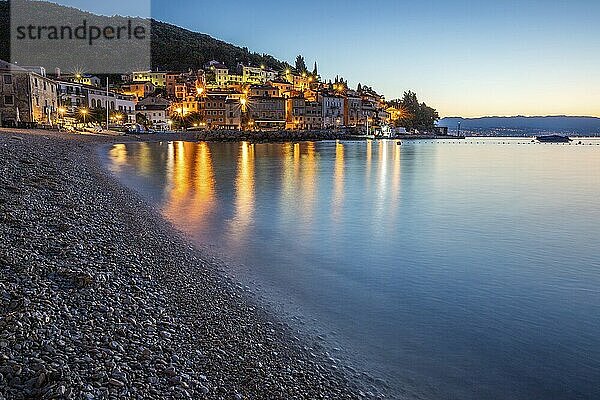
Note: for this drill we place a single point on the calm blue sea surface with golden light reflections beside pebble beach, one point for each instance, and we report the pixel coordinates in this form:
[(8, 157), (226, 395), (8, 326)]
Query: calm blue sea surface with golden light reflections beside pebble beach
[(455, 269)]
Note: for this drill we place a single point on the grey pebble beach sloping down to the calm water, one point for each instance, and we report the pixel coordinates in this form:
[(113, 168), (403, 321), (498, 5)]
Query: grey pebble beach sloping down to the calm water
[(101, 296)]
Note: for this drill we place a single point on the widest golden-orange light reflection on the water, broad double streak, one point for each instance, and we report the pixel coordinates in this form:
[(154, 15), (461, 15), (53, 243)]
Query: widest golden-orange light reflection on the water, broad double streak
[(191, 192)]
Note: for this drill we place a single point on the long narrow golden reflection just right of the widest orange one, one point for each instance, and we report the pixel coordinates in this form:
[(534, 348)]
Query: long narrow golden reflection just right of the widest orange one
[(244, 194)]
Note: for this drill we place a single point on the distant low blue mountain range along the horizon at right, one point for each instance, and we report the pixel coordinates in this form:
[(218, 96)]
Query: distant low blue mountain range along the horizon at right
[(524, 126)]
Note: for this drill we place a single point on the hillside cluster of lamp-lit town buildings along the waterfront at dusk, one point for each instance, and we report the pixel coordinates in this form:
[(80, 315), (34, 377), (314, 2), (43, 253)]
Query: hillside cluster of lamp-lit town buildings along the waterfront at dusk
[(216, 97)]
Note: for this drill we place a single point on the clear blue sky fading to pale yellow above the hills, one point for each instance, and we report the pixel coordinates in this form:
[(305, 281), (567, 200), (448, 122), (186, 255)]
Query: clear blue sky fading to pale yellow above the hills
[(465, 58)]
